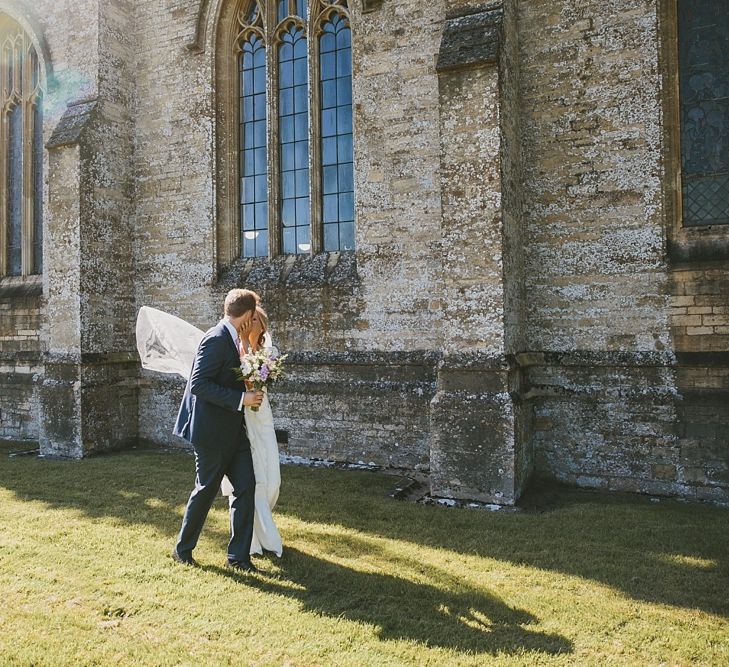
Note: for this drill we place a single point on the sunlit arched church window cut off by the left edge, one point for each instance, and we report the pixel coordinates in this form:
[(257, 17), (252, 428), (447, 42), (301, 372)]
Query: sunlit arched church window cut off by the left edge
[(21, 153)]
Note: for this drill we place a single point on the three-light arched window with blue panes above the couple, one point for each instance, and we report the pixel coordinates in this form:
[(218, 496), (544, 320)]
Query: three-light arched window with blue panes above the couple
[(296, 160)]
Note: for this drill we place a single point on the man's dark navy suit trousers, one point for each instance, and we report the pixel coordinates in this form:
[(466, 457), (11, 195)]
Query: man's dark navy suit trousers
[(211, 464)]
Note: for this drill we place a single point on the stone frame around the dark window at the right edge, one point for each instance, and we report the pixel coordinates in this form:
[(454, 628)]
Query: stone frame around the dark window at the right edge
[(685, 243)]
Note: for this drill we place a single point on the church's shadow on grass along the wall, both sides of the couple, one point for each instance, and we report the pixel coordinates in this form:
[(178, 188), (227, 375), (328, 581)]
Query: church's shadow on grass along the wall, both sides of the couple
[(670, 553)]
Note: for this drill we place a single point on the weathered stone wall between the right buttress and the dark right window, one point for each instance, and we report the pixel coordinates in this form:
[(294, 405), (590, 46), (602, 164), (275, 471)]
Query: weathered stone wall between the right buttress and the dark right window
[(596, 276)]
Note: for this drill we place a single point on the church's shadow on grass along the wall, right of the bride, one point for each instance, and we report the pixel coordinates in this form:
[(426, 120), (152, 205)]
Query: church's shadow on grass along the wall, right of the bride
[(666, 552)]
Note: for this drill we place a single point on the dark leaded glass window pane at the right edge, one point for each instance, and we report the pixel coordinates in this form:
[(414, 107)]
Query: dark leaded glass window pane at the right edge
[(703, 43)]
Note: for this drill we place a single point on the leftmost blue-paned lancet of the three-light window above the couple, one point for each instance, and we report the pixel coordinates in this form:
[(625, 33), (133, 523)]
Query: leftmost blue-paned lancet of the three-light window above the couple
[(254, 164)]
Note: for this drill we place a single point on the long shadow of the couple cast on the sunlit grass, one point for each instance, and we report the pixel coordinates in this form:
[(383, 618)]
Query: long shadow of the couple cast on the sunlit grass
[(463, 620)]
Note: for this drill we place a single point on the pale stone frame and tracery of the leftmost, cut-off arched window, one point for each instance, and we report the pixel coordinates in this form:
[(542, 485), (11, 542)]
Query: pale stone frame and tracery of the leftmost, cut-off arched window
[(30, 97)]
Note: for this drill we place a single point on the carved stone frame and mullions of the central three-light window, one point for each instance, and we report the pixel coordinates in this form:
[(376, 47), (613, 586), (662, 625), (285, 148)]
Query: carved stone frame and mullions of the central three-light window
[(230, 32)]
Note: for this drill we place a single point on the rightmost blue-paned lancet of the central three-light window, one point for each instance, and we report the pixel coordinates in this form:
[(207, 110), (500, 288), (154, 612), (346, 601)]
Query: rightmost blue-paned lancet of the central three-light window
[(337, 162)]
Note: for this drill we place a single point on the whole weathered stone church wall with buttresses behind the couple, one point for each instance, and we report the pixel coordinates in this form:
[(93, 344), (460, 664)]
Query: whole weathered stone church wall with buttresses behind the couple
[(513, 303)]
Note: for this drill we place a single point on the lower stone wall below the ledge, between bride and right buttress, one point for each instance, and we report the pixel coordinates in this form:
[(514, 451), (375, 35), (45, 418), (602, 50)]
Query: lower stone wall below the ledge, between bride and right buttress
[(360, 407)]
